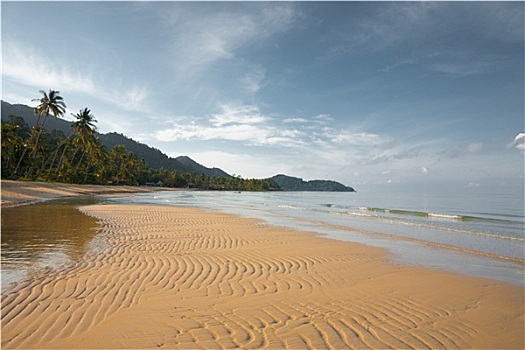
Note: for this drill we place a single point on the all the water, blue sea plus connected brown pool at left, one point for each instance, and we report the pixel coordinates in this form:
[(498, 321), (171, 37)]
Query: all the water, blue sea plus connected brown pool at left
[(472, 231)]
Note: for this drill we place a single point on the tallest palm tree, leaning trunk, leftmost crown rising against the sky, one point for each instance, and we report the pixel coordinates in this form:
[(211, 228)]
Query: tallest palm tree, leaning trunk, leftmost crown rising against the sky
[(51, 103)]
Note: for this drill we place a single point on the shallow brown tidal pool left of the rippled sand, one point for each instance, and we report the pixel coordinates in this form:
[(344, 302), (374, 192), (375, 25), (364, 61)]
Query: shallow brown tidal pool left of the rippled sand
[(44, 235)]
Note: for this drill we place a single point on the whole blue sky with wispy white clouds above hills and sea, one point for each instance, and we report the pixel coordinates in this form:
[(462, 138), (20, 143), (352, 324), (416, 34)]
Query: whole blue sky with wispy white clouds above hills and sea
[(365, 93)]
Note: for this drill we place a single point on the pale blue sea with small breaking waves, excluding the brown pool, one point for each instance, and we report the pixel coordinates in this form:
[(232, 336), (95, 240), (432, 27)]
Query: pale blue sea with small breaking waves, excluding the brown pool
[(471, 232)]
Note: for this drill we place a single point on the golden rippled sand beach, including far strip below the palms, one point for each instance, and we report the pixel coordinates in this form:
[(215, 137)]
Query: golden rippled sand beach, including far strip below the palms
[(175, 277)]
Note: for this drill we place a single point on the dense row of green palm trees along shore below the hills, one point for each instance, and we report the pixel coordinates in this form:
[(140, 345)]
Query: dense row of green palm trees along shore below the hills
[(32, 153)]
